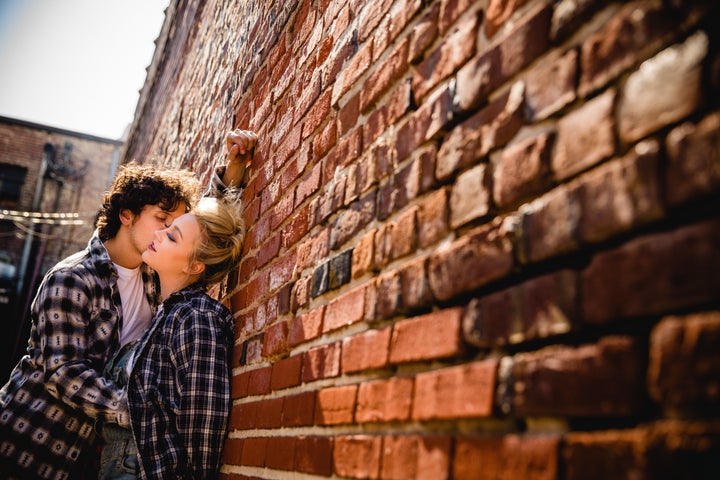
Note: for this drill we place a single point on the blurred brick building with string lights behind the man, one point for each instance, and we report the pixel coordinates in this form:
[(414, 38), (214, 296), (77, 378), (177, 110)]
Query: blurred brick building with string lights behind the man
[(51, 184)]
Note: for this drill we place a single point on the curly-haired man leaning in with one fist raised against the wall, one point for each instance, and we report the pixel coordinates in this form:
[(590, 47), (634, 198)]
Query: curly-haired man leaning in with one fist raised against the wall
[(87, 306)]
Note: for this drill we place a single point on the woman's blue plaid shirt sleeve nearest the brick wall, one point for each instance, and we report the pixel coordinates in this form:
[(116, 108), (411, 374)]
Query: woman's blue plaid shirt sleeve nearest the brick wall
[(201, 357)]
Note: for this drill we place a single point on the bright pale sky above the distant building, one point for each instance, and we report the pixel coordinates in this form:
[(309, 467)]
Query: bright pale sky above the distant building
[(76, 64)]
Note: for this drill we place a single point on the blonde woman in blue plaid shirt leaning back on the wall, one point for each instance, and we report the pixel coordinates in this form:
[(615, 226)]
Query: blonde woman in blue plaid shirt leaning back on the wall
[(177, 375)]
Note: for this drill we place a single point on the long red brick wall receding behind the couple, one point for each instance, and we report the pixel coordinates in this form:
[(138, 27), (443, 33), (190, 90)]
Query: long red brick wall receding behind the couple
[(483, 235)]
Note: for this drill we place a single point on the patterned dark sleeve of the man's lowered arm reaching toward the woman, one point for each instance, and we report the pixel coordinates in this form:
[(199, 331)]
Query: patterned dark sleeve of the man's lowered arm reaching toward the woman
[(64, 319)]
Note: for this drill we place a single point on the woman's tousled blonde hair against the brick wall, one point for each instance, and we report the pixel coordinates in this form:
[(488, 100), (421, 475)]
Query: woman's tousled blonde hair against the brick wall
[(222, 233)]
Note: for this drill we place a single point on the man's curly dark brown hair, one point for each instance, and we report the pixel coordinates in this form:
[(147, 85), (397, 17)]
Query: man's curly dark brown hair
[(136, 186)]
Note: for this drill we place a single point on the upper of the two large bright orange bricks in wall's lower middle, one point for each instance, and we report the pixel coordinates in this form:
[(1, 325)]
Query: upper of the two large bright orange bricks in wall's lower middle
[(428, 337)]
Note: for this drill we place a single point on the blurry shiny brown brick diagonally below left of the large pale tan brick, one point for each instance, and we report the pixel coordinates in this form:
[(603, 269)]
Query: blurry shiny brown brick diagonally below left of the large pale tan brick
[(621, 195)]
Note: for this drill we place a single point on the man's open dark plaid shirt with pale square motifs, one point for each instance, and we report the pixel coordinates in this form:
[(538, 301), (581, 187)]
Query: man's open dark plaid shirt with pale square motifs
[(55, 393)]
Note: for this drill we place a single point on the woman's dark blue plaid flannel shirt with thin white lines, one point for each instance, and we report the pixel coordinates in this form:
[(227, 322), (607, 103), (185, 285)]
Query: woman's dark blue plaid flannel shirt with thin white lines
[(179, 387)]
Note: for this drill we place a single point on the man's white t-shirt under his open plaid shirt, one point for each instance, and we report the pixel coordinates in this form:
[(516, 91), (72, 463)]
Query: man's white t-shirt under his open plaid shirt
[(136, 309)]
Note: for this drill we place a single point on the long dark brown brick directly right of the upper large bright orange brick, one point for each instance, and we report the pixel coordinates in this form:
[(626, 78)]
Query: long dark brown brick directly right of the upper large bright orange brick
[(538, 308)]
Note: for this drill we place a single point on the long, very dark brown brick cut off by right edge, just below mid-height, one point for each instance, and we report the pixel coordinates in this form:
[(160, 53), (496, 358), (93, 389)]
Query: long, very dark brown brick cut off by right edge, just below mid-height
[(663, 272)]
